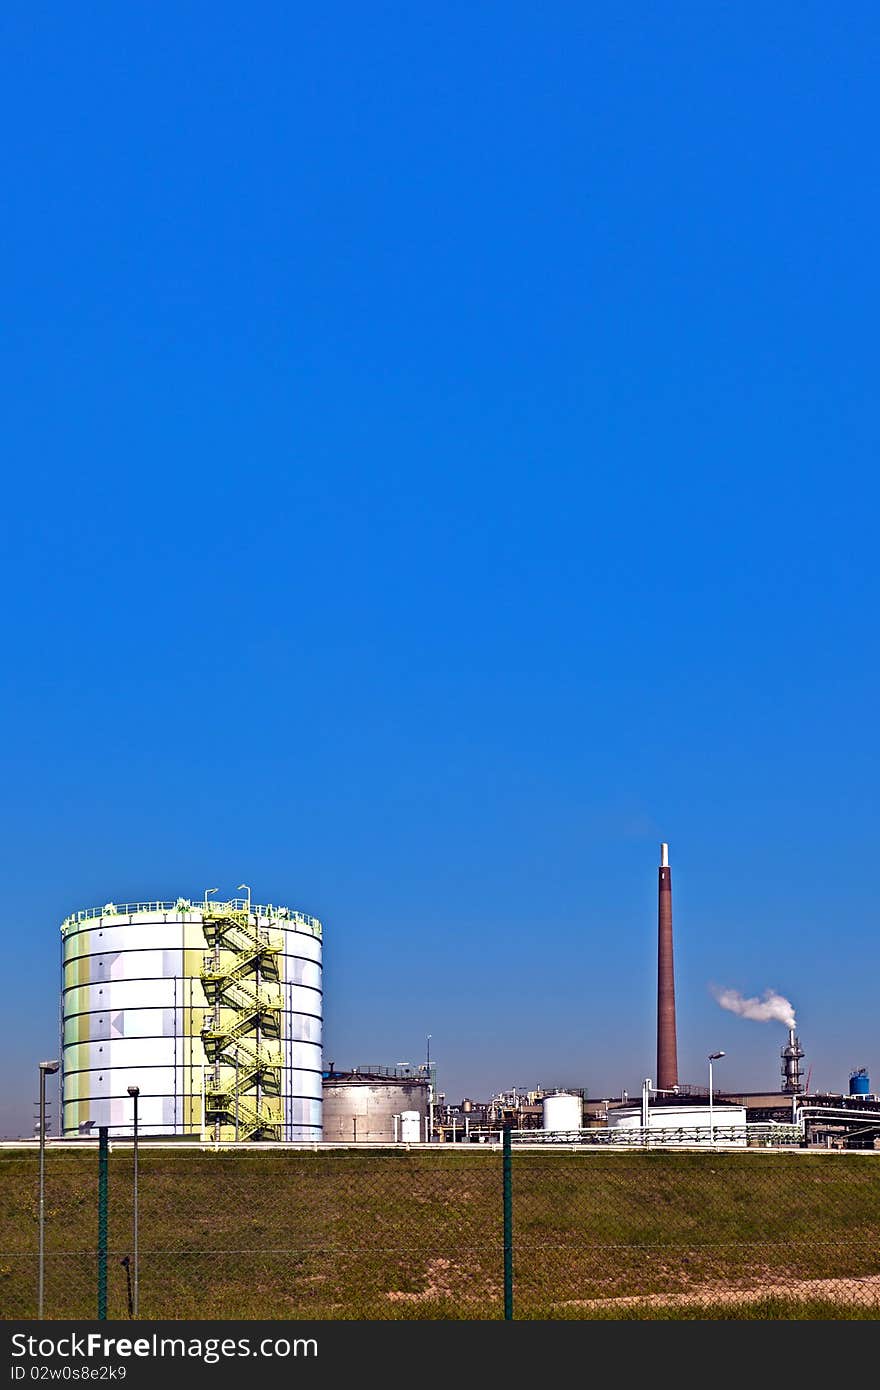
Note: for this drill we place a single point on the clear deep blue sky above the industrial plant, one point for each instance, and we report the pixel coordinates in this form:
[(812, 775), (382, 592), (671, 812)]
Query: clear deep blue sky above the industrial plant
[(440, 465)]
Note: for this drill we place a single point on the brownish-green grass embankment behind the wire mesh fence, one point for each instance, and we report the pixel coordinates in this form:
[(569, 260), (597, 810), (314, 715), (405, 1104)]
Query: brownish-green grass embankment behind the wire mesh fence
[(419, 1235)]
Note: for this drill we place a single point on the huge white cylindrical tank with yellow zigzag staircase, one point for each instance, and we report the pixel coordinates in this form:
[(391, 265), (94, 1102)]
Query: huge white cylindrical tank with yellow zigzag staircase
[(213, 1010)]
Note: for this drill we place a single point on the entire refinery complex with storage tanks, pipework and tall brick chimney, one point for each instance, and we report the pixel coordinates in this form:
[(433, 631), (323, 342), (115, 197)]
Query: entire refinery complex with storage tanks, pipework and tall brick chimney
[(212, 1014)]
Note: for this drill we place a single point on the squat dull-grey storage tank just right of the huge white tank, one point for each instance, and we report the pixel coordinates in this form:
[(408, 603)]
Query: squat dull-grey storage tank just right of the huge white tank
[(376, 1106)]
